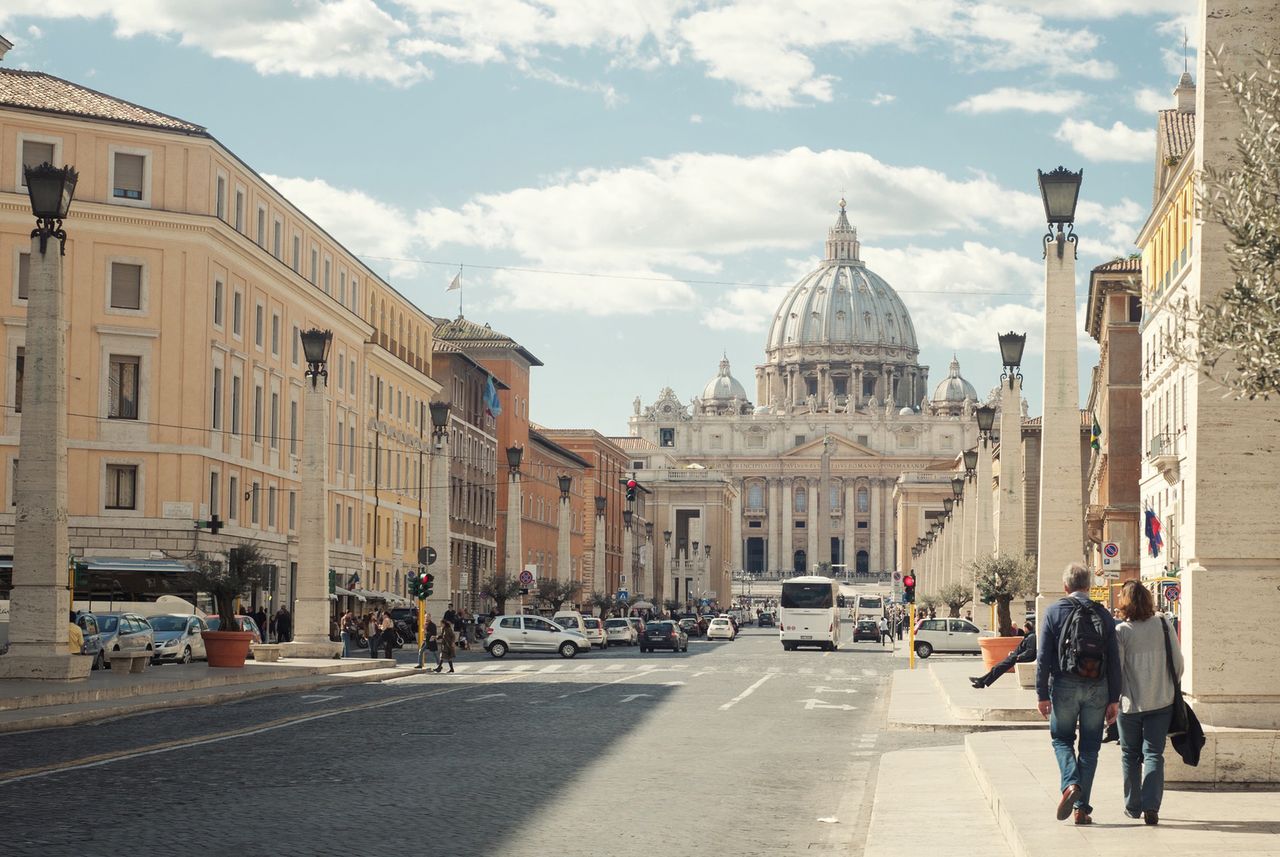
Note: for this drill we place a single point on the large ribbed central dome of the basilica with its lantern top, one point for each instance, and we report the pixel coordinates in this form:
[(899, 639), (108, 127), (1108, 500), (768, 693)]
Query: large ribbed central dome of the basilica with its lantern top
[(844, 306)]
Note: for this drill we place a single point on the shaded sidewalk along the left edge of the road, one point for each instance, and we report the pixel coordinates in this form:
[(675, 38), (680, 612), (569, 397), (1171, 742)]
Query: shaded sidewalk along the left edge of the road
[(38, 705)]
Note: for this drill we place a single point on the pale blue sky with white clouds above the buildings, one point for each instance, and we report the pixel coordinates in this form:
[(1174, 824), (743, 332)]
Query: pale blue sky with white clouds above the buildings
[(630, 186)]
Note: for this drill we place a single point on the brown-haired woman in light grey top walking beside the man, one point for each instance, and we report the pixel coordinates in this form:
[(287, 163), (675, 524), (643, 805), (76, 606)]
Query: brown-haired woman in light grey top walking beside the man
[(1148, 668)]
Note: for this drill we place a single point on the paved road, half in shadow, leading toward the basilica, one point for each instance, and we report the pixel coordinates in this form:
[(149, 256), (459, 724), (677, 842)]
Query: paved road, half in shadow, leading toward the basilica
[(732, 749)]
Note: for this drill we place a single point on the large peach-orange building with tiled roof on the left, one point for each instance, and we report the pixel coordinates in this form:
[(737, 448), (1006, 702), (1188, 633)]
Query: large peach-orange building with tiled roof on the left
[(190, 279)]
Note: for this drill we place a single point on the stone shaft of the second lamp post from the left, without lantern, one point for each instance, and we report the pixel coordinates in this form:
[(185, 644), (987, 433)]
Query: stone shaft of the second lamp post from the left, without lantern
[(312, 597)]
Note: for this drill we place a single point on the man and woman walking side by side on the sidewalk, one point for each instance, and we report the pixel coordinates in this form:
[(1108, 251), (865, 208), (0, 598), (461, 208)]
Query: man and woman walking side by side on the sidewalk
[(1094, 672)]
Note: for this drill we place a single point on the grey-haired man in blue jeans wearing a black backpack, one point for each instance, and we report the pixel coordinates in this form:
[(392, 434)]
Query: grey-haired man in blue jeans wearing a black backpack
[(1078, 686)]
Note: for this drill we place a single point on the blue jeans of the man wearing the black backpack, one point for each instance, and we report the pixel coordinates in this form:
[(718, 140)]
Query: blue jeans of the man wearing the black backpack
[(1077, 703)]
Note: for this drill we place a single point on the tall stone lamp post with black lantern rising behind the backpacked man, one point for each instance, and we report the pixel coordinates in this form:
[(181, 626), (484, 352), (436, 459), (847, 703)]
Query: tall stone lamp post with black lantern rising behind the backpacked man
[(1062, 519)]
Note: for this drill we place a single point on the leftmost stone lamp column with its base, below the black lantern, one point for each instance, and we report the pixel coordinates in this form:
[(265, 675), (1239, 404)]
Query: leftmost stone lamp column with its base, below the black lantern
[(40, 602)]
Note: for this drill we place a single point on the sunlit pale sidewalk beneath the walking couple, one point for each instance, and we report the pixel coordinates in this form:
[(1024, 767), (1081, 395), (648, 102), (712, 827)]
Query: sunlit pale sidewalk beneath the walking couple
[(1018, 776)]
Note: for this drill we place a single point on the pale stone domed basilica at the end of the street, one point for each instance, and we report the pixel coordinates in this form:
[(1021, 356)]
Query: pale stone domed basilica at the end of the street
[(843, 410)]
